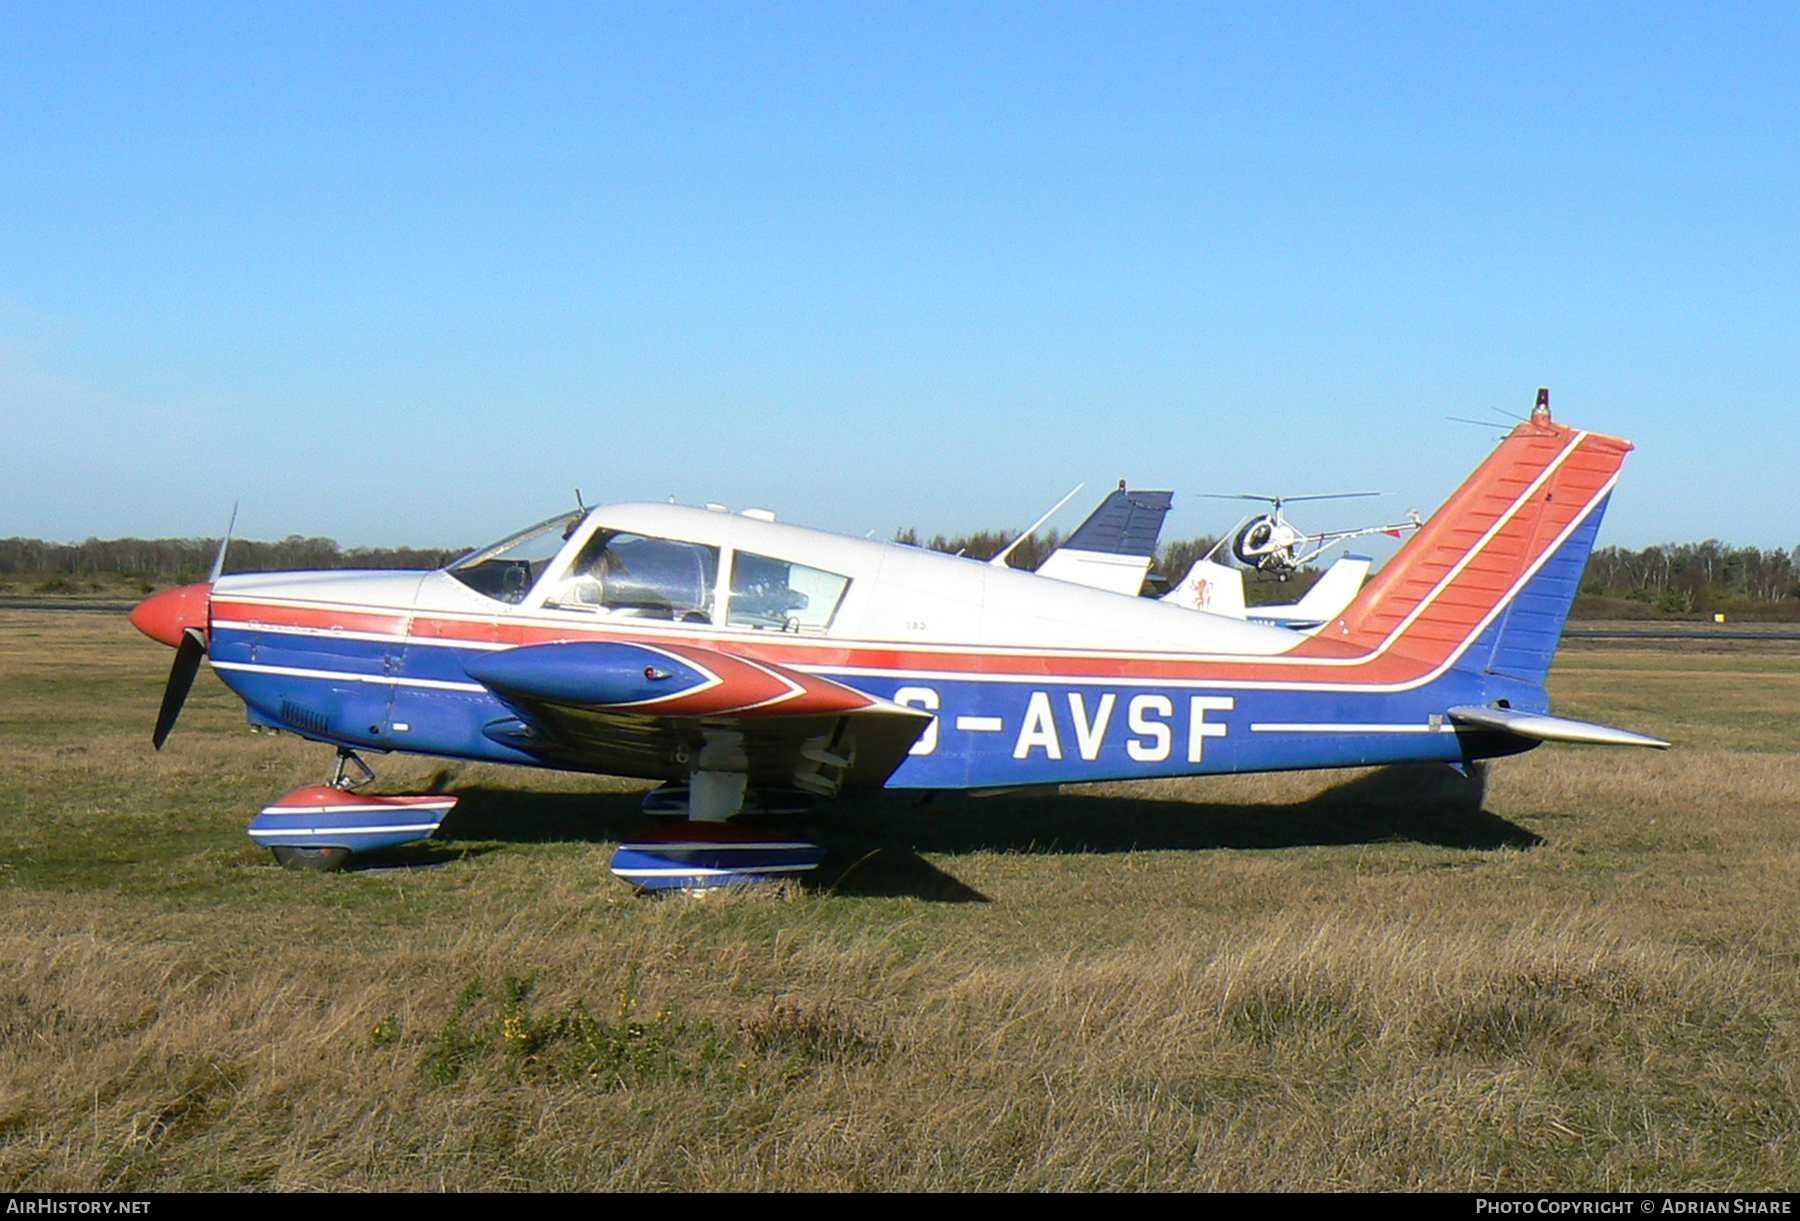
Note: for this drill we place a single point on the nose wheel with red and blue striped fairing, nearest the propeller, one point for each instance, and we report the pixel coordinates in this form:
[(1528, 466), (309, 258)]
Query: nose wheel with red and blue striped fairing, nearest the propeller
[(323, 826)]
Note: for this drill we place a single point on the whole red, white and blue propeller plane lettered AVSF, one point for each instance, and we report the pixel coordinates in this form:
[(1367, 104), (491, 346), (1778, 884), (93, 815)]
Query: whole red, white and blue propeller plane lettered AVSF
[(755, 665)]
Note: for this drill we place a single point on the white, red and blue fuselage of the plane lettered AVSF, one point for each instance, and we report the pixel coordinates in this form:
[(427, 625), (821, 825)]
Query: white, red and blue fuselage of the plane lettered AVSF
[(1029, 680)]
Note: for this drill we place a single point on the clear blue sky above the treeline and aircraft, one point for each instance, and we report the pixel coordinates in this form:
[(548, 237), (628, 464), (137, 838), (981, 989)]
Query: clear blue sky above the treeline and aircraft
[(413, 273)]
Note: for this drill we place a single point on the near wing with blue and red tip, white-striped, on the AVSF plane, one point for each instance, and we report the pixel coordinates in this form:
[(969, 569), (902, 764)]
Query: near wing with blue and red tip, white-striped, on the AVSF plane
[(602, 705)]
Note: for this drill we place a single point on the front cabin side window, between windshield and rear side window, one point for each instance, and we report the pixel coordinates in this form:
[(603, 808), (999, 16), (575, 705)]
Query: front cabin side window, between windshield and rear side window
[(631, 575)]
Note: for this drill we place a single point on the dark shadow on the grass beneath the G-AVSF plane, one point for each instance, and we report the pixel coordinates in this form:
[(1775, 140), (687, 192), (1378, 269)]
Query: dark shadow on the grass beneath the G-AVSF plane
[(874, 842)]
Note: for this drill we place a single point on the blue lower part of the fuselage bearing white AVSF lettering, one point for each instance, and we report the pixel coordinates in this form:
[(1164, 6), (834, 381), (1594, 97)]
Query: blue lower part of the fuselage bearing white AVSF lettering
[(989, 732)]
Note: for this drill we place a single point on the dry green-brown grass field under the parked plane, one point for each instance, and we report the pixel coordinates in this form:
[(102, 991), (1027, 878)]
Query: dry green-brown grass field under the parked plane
[(1345, 981)]
